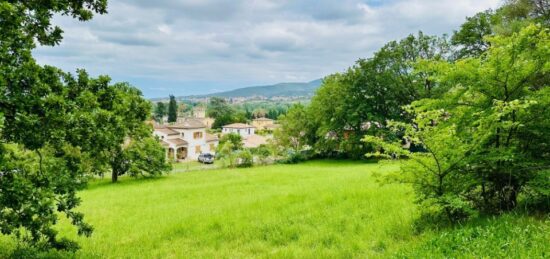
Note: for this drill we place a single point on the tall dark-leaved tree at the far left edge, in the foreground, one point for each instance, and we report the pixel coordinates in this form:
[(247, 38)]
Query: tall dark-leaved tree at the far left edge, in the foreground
[(42, 164)]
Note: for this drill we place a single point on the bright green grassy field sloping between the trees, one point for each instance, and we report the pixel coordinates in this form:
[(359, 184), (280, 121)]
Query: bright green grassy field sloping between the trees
[(320, 209)]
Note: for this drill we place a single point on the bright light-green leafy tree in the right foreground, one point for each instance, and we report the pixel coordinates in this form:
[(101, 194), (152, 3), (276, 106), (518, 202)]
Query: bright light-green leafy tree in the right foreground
[(484, 142)]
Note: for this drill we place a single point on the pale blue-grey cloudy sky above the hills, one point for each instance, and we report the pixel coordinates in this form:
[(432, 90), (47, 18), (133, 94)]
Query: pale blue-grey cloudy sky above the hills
[(185, 47)]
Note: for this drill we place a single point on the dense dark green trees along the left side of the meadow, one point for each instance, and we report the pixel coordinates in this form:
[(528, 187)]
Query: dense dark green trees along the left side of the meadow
[(58, 129)]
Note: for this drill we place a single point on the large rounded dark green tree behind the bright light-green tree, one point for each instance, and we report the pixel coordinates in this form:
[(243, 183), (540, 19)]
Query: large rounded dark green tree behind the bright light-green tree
[(359, 101)]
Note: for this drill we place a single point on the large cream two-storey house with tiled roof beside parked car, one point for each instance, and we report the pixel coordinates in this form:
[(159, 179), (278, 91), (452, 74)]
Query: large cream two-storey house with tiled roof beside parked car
[(185, 140)]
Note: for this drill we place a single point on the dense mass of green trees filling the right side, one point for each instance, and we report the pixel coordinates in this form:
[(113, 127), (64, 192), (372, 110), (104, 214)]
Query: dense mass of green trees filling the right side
[(469, 116)]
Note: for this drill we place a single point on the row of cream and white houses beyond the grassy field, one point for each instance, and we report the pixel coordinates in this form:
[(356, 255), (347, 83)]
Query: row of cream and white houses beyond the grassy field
[(188, 138)]
